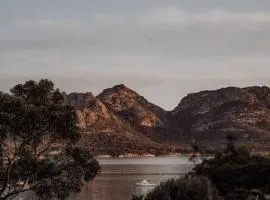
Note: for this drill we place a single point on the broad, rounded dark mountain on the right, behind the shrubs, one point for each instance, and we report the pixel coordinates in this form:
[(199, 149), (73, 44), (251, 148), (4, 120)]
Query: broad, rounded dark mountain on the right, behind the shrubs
[(209, 116)]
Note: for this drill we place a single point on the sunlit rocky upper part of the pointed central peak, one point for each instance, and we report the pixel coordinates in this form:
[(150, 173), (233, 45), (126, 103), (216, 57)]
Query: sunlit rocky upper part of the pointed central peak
[(132, 107)]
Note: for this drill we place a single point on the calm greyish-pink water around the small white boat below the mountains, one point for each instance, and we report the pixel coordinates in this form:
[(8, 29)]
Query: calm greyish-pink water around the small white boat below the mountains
[(120, 175)]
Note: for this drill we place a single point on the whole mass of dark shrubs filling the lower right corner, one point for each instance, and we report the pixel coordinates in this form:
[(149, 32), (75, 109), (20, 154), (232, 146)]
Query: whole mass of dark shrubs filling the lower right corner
[(233, 174)]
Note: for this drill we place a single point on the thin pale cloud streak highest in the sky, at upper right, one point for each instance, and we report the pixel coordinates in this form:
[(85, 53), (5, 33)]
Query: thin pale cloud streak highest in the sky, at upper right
[(174, 15)]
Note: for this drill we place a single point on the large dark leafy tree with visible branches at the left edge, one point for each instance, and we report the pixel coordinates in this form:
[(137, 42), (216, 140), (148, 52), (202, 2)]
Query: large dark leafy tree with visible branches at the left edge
[(38, 151)]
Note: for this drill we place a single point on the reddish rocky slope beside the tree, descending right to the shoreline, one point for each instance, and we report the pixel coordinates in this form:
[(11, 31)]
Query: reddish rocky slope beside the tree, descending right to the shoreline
[(105, 131)]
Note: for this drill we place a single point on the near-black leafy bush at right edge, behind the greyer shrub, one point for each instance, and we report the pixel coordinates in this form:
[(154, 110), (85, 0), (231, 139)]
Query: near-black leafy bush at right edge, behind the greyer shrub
[(235, 172)]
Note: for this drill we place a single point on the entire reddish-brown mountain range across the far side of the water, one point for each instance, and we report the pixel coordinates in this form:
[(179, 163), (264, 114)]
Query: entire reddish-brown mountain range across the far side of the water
[(119, 120)]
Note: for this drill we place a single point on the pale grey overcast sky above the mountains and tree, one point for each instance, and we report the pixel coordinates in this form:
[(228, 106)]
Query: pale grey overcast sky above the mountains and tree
[(162, 49)]
